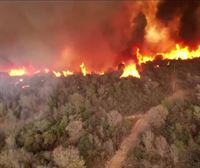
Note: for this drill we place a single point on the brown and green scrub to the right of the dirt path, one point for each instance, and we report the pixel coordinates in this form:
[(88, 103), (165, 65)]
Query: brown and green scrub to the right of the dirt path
[(176, 143)]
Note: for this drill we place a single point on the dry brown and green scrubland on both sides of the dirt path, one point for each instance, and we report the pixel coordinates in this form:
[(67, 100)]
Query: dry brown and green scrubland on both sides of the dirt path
[(81, 121)]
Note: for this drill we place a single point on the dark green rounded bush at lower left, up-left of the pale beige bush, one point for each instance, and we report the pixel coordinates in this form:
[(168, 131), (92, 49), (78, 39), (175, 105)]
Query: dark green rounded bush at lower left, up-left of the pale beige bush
[(39, 136)]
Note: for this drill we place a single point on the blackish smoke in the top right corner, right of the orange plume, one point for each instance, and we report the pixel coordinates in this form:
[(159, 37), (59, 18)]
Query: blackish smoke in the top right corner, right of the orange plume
[(189, 19)]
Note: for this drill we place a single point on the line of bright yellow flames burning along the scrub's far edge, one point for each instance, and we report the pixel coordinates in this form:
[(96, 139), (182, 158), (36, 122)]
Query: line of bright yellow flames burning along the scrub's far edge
[(130, 69)]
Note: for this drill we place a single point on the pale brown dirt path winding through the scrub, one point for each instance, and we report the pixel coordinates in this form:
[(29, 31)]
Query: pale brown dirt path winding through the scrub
[(143, 122)]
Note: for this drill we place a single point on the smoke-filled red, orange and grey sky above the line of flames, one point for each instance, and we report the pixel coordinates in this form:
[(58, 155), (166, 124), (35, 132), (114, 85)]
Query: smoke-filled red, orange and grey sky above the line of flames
[(63, 34)]
